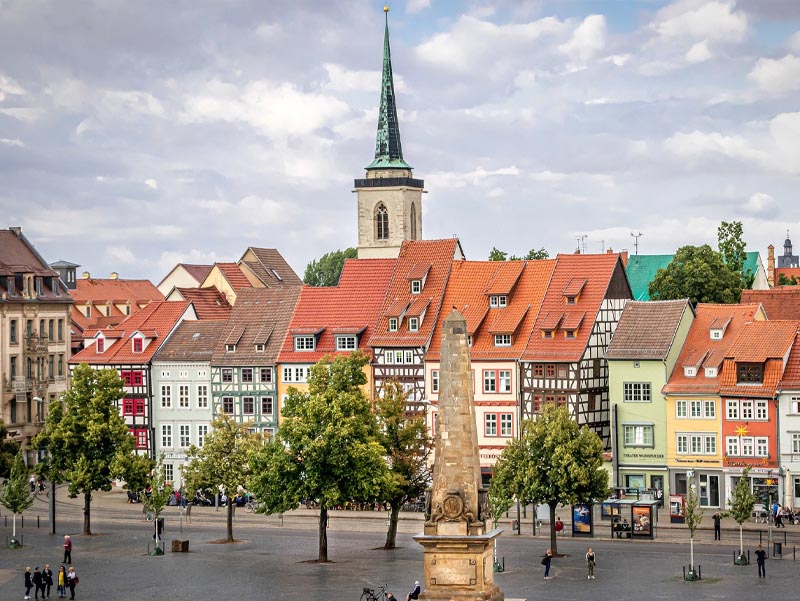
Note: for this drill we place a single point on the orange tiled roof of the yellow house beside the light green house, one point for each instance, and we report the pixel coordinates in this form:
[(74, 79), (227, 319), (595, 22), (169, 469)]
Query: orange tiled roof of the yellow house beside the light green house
[(699, 346)]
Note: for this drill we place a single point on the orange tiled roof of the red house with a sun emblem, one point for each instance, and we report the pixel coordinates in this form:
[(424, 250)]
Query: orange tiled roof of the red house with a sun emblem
[(765, 342)]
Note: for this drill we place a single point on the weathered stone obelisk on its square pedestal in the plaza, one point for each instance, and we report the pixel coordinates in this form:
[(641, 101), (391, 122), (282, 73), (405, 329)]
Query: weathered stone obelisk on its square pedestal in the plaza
[(458, 549)]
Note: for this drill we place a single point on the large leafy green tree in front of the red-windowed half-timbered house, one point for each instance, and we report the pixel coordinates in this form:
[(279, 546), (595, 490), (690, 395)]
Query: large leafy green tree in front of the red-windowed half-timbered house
[(85, 437)]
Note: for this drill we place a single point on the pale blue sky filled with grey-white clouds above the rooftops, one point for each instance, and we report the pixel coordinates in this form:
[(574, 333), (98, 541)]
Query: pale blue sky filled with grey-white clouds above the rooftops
[(136, 135)]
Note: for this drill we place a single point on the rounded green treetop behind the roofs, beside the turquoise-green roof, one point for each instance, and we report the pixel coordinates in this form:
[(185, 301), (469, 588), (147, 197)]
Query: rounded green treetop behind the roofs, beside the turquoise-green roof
[(700, 274)]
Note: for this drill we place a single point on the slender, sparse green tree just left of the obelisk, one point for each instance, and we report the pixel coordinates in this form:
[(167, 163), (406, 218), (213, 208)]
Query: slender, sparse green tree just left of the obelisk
[(407, 445)]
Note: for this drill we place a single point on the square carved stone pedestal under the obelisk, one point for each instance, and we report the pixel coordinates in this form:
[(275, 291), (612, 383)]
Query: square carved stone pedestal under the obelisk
[(459, 568)]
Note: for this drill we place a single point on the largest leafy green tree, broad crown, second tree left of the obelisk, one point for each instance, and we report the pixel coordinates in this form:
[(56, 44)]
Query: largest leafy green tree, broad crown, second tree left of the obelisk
[(327, 448)]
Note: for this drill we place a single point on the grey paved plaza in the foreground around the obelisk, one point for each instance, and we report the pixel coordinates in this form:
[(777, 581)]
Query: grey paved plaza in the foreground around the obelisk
[(275, 562)]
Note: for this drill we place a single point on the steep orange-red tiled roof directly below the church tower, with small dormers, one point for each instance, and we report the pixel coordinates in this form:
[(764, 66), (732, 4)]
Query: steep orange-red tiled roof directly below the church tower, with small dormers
[(439, 254)]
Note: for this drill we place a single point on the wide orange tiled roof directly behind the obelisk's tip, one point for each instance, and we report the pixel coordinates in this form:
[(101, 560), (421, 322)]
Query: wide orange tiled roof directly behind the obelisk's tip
[(466, 292)]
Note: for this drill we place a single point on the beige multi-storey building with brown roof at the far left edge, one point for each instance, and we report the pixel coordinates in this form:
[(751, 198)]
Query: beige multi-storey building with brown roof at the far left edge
[(35, 310)]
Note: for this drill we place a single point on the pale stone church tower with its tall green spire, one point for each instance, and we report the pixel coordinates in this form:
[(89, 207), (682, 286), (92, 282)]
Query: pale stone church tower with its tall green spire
[(389, 199)]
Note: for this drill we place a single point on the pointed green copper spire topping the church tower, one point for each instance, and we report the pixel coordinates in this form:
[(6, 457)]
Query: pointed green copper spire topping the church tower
[(388, 151)]
